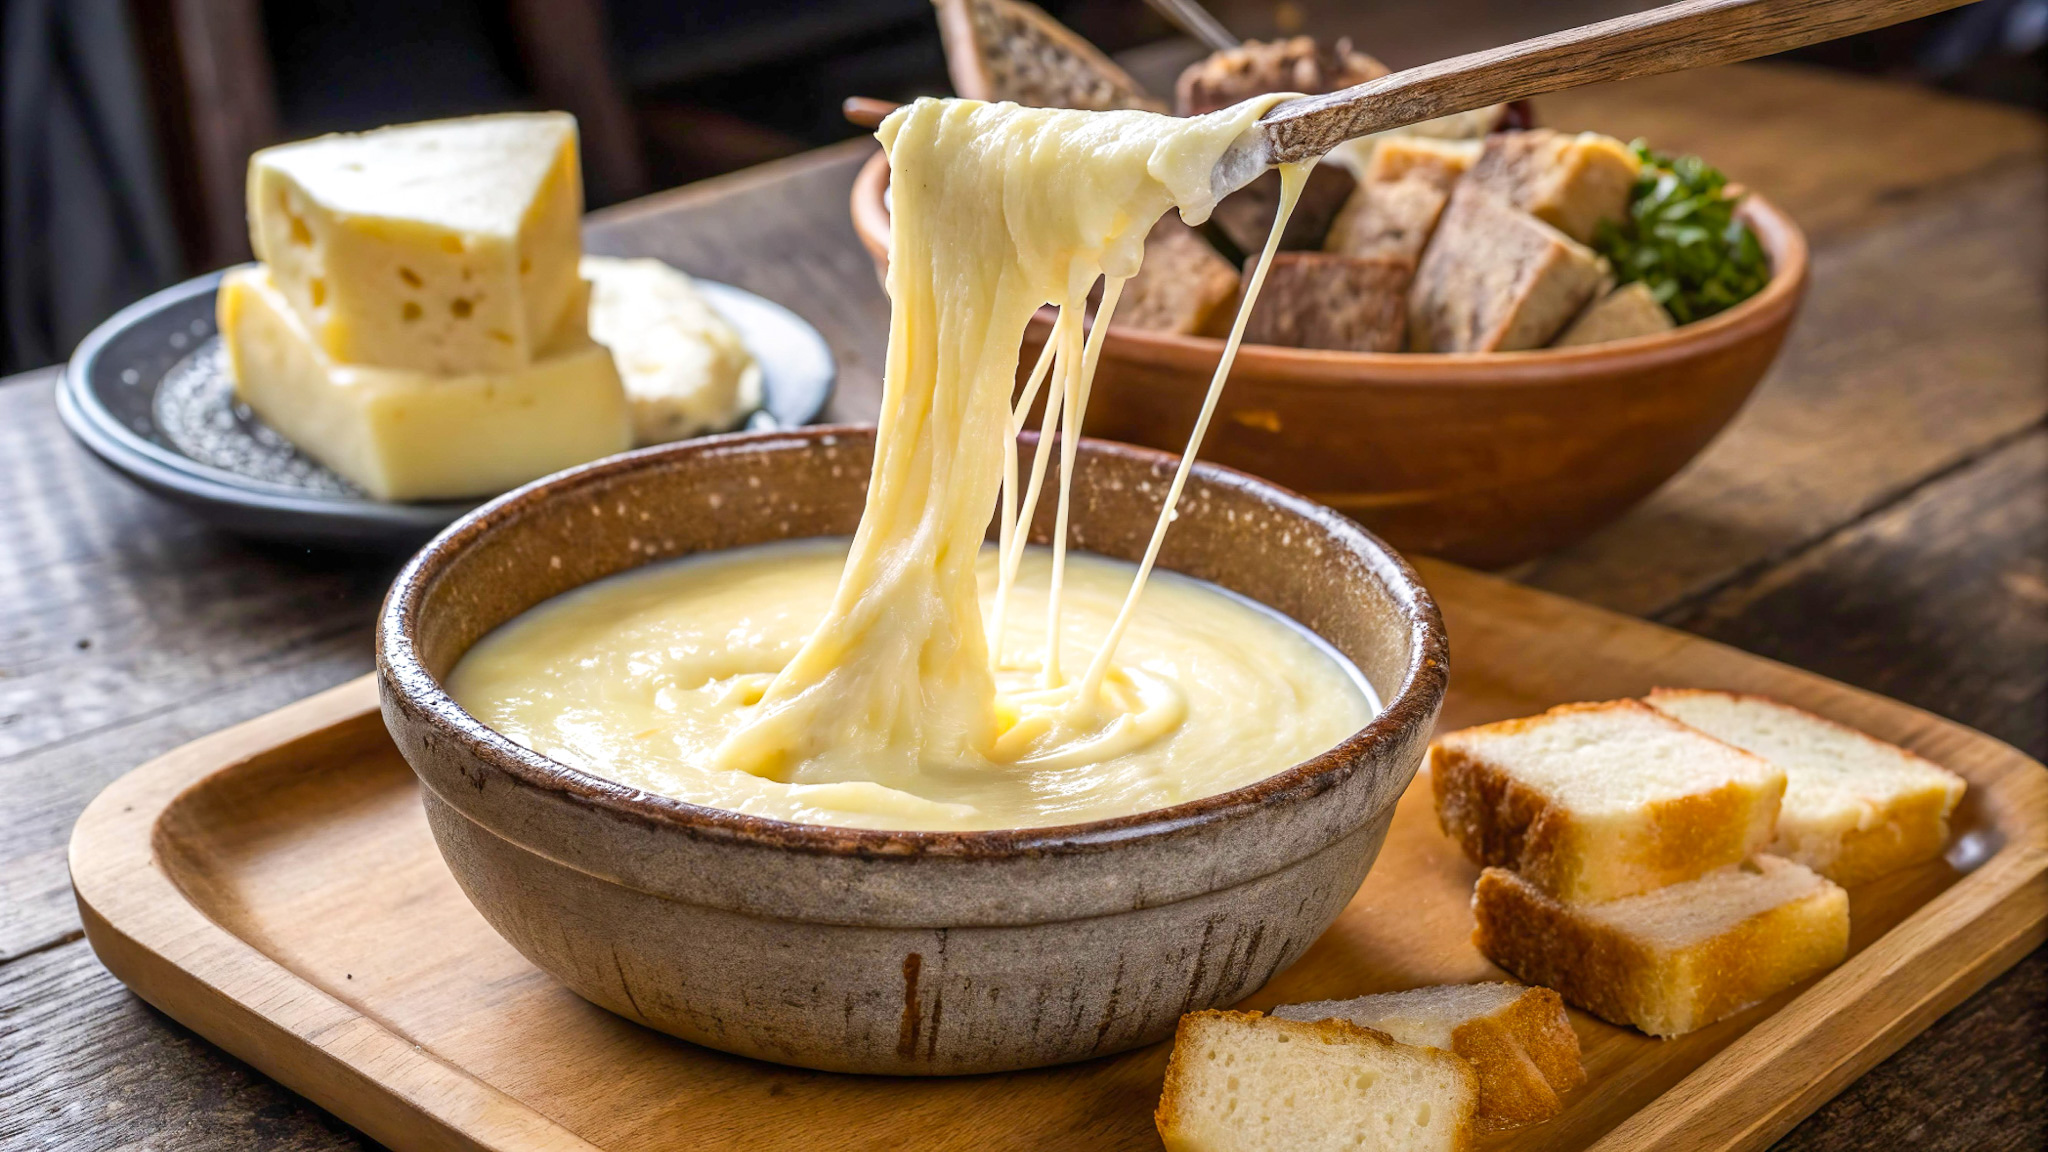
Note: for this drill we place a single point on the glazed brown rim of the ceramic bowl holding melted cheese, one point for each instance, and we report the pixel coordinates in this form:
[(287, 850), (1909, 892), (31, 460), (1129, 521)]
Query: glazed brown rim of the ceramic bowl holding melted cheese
[(409, 684)]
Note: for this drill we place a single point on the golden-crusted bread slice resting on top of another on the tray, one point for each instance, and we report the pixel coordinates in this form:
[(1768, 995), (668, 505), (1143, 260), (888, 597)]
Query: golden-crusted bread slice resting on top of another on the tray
[(1603, 800)]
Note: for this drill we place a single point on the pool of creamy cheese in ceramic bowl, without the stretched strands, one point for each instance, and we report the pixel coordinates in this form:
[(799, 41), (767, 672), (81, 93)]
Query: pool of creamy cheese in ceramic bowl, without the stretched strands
[(644, 675)]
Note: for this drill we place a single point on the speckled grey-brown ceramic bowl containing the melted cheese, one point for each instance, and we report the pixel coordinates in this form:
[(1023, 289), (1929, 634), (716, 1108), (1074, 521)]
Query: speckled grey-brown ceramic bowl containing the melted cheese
[(900, 952)]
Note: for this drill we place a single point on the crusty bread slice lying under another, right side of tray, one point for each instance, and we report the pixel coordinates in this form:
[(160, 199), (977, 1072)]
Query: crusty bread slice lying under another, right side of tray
[(1672, 960)]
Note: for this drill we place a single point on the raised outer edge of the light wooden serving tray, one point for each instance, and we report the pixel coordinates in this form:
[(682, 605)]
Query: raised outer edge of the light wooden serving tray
[(1744, 1098)]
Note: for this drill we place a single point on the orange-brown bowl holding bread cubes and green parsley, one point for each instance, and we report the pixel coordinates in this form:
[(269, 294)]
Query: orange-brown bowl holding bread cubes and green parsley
[(1484, 458)]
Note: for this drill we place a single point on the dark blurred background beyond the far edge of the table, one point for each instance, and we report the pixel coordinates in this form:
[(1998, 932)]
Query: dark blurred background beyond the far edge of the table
[(126, 124)]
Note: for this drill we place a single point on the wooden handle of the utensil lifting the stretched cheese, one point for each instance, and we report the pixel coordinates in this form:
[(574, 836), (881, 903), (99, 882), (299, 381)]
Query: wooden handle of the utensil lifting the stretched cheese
[(1693, 34)]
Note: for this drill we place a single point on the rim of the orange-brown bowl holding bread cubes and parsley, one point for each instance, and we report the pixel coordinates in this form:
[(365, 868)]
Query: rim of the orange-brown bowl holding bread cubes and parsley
[(1783, 243)]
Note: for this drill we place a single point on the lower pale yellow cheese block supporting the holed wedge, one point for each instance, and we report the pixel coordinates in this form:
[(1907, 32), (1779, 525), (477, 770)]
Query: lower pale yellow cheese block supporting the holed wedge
[(409, 436)]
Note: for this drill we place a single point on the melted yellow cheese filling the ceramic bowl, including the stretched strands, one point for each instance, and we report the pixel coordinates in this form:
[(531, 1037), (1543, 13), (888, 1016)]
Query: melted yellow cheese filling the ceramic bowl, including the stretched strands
[(900, 702)]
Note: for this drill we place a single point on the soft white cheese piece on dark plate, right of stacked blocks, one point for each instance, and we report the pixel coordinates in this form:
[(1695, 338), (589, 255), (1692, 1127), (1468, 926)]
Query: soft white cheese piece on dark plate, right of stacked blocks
[(685, 368)]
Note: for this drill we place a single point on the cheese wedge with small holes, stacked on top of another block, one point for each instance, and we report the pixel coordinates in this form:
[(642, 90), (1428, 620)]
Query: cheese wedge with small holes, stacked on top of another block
[(443, 247)]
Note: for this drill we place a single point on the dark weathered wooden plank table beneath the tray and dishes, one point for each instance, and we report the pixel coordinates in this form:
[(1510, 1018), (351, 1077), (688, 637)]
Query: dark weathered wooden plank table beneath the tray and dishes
[(1879, 513)]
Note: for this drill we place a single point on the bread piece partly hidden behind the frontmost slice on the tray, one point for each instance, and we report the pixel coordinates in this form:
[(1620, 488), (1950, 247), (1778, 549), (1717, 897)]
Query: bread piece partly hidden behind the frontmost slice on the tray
[(1519, 1040)]
